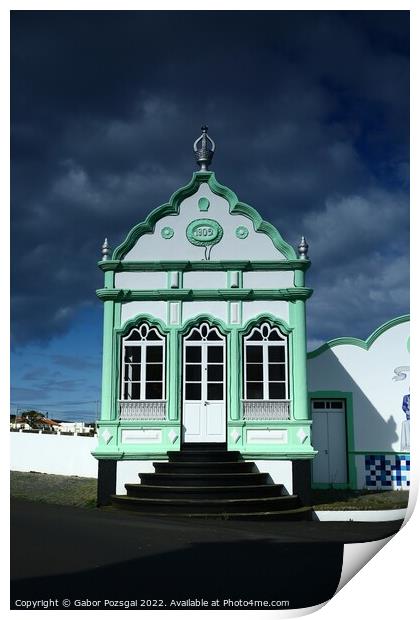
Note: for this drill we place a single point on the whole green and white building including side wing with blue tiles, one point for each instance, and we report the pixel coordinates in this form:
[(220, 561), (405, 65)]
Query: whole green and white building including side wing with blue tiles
[(205, 342)]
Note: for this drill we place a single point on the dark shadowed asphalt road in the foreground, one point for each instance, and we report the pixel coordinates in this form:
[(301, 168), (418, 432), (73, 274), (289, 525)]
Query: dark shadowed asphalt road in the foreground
[(61, 552)]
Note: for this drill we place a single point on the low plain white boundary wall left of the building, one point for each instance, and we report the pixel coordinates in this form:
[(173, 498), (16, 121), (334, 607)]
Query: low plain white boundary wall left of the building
[(65, 455)]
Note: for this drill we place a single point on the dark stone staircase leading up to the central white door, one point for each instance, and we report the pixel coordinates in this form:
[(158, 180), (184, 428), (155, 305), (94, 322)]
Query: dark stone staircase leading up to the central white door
[(205, 480)]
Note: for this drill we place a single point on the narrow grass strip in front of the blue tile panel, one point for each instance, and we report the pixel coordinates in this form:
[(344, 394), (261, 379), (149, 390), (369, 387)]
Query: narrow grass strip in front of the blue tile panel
[(343, 499)]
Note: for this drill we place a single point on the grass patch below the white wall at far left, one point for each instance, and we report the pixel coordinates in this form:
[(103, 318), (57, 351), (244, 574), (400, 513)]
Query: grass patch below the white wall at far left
[(52, 489)]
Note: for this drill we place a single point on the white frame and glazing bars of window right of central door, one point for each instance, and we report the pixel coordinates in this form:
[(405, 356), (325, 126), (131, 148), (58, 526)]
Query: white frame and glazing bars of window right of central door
[(265, 343)]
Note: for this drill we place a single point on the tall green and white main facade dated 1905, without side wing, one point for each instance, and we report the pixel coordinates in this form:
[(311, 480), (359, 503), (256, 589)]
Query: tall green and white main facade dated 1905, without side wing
[(204, 337)]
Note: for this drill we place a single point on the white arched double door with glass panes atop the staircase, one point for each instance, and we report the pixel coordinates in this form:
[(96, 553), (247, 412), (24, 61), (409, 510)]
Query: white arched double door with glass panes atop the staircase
[(204, 393)]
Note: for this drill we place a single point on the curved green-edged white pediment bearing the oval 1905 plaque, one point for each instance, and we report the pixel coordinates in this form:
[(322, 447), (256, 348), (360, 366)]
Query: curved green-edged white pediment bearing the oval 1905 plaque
[(204, 220)]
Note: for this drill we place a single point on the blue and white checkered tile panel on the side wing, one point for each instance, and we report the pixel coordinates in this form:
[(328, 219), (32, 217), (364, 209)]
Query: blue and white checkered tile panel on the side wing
[(387, 471)]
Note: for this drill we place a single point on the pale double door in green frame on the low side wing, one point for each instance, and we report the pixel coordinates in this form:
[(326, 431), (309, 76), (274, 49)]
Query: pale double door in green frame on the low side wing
[(329, 439)]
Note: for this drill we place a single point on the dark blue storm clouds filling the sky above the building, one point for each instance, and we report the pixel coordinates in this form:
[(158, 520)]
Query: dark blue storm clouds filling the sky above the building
[(309, 112)]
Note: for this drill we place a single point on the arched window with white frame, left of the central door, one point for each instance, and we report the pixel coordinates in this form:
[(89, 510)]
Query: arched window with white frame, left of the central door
[(143, 364)]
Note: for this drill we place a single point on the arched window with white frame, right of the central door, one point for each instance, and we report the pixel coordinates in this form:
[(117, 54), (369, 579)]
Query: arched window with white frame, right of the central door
[(265, 364)]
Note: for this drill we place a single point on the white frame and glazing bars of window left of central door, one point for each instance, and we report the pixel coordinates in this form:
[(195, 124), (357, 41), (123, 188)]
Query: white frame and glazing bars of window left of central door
[(143, 329)]
